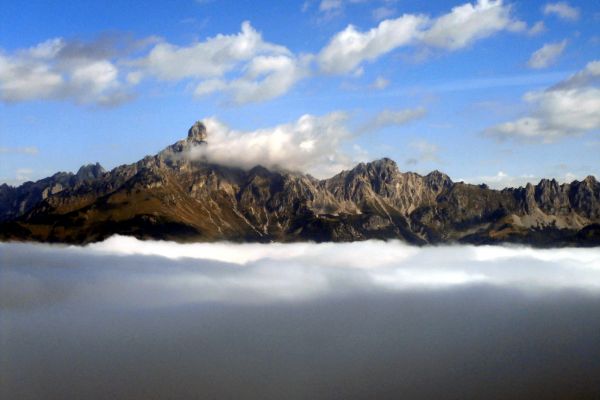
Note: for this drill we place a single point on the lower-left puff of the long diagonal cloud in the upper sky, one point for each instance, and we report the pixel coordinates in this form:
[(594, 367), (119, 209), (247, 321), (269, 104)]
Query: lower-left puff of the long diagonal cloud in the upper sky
[(350, 47)]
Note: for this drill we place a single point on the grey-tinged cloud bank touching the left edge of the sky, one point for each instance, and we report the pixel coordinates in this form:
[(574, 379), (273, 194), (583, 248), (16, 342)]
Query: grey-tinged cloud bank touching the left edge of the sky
[(61, 70)]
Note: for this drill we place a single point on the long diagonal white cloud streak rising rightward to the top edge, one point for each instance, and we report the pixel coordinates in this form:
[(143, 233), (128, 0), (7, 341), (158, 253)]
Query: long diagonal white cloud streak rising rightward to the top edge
[(459, 28)]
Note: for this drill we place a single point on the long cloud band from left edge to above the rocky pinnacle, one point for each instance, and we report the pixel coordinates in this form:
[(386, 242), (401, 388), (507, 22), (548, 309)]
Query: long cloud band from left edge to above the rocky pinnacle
[(244, 66)]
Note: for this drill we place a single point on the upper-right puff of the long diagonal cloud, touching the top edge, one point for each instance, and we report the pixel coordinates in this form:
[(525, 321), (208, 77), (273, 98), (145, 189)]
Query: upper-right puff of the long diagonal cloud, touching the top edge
[(470, 22)]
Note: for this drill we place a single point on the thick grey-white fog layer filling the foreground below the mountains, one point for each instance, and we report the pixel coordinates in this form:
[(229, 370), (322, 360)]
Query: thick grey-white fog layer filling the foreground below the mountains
[(126, 319)]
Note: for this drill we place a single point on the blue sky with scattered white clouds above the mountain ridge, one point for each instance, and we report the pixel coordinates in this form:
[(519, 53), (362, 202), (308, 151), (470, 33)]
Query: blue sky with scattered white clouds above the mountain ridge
[(501, 92)]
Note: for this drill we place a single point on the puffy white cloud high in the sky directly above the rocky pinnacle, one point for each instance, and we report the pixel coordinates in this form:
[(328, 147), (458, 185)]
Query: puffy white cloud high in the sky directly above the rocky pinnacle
[(256, 69)]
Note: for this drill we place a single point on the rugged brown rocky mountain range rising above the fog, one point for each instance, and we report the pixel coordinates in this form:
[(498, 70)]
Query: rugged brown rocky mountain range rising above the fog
[(178, 195)]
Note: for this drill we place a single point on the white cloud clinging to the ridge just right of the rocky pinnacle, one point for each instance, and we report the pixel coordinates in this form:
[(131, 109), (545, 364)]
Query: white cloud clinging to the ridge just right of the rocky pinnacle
[(312, 144)]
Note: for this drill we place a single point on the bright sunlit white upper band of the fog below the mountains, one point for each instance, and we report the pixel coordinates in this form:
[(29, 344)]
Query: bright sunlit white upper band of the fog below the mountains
[(273, 272)]
